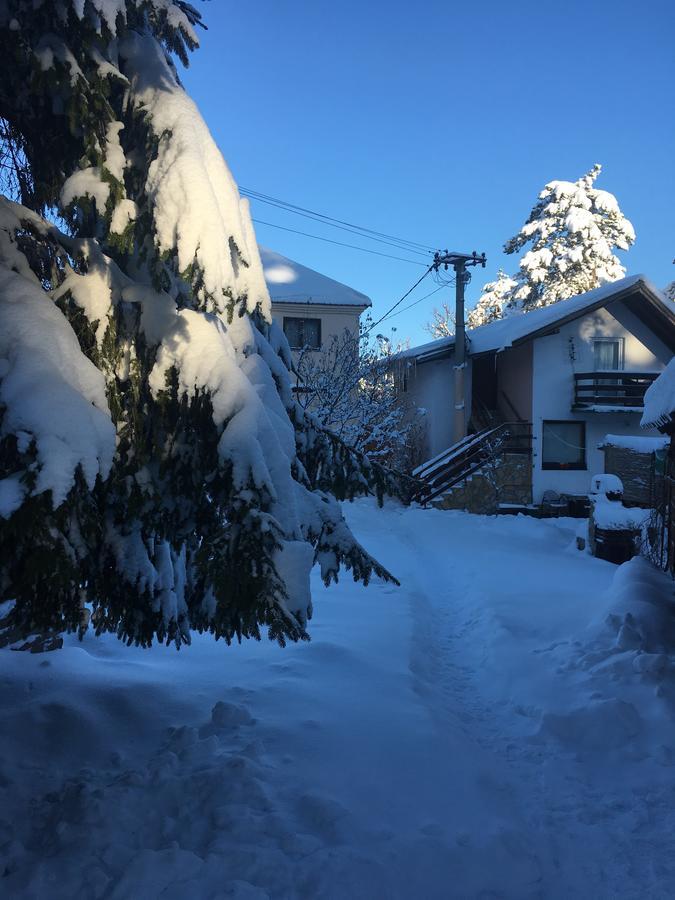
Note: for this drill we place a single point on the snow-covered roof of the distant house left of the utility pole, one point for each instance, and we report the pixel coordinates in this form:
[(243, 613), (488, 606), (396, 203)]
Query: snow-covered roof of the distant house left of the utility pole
[(291, 282)]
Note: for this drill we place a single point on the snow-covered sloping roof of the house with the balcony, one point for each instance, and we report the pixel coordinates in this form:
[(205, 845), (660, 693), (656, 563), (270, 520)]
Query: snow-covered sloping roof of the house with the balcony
[(636, 291)]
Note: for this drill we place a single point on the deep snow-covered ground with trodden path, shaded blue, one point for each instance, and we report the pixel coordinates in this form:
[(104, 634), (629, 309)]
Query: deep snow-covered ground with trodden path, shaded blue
[(500, 726)]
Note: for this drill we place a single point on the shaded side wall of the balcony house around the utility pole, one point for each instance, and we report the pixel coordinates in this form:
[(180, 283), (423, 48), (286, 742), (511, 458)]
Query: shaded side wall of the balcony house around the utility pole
[(431, 388)]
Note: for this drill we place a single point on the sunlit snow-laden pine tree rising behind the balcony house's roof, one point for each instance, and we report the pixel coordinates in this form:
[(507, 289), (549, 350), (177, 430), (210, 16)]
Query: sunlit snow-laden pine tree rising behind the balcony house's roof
[(573, 230)]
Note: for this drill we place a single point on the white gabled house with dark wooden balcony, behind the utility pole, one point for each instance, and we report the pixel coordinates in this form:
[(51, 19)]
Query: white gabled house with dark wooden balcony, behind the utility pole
[(570, 373)]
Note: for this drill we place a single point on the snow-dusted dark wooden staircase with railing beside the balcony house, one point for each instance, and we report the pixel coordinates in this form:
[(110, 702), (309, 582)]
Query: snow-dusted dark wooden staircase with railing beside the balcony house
[(482, 452)]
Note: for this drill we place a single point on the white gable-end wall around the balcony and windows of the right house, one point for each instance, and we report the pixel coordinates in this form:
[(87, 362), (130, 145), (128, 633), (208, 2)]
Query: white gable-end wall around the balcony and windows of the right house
[(553, 390)]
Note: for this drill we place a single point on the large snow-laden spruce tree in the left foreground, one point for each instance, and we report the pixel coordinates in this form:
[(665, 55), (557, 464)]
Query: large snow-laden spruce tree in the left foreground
[(155, 470)]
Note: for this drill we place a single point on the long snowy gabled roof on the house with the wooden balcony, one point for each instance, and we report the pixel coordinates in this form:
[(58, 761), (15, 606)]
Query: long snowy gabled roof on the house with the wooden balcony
[(520, 326)]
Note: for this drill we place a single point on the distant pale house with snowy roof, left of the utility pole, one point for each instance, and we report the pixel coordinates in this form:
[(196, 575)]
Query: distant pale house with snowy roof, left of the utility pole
[(310, 307)]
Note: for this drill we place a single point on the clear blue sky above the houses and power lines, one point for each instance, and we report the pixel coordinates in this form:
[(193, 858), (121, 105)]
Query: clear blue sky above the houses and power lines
[(440, 122)]
